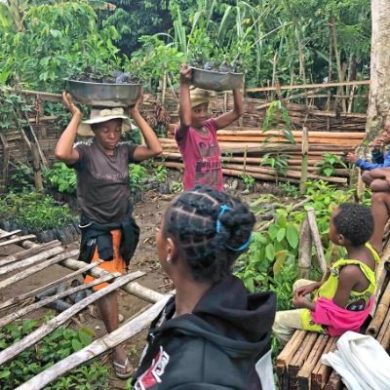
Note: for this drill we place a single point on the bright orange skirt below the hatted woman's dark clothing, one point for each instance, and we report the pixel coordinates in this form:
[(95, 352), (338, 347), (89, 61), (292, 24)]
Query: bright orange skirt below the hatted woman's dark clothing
[(117, 264)]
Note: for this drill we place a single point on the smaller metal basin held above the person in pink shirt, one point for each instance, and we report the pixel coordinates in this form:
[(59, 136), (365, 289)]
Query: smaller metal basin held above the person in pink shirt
[(216, 81)]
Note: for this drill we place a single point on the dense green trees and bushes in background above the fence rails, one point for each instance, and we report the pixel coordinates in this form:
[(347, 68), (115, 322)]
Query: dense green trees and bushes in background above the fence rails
[(285, 41)]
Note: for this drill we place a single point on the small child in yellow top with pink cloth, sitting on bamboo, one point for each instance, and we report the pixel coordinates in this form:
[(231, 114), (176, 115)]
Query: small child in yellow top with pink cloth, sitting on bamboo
[(344, 300)]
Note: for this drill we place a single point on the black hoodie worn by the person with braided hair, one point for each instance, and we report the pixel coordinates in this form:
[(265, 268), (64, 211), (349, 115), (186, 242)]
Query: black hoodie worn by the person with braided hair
[(215, 347)]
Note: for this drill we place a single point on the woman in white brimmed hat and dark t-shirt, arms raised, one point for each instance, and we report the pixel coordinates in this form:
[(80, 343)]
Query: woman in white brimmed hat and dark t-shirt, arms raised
[(109, 232)]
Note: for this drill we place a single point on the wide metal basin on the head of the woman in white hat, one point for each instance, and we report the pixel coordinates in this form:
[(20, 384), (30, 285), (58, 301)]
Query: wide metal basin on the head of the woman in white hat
[(104, 94)]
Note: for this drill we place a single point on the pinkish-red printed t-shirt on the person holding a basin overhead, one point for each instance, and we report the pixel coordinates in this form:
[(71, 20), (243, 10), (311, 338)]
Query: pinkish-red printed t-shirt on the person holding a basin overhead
[(201, 156)]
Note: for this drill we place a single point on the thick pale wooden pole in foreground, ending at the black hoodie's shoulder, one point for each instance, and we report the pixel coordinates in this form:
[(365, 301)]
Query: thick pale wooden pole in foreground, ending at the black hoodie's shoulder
[(96, 348)]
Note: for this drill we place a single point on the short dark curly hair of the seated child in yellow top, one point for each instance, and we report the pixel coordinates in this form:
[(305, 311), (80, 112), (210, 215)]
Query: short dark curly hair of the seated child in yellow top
[(355, 222)]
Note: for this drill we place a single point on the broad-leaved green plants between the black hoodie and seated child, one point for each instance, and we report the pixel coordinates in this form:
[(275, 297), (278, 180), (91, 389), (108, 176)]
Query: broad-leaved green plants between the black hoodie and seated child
[(271, 262)]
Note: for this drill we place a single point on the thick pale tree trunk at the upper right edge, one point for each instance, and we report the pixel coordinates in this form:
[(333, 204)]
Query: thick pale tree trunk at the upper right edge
[(379, 97)]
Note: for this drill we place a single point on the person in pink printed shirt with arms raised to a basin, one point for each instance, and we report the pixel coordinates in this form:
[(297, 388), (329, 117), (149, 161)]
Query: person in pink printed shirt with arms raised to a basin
[(196, 135)]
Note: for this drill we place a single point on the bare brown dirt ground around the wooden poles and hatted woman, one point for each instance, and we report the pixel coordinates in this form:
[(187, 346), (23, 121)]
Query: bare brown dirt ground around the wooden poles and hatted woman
[(148, 214)]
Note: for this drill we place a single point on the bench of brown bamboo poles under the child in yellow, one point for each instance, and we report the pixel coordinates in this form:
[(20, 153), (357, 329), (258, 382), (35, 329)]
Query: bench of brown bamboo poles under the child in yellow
[(299, 366)]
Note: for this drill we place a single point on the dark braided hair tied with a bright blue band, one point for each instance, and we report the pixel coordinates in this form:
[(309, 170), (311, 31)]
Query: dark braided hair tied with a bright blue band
[(210, 230)]
